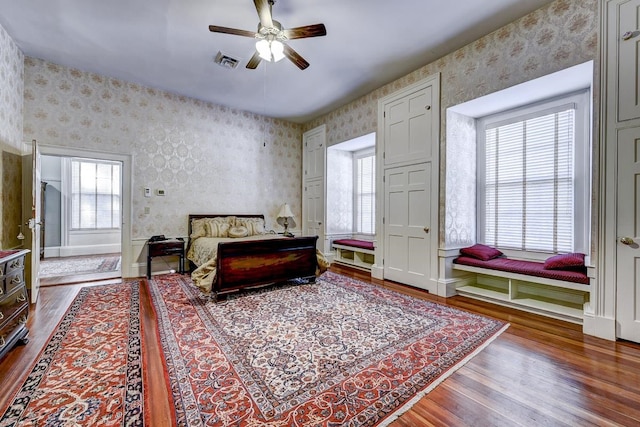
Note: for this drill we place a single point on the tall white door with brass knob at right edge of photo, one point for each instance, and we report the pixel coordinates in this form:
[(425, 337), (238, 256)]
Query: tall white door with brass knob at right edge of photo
[(628, 244)]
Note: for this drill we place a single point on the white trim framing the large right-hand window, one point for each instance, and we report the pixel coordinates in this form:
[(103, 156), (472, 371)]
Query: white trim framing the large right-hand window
[(582, 169)]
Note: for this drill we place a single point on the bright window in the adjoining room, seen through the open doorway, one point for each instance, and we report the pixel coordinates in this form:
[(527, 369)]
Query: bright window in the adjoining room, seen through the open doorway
[(95, 195)]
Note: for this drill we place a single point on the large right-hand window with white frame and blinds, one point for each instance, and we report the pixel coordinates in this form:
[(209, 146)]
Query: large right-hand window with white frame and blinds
[(533, 177)]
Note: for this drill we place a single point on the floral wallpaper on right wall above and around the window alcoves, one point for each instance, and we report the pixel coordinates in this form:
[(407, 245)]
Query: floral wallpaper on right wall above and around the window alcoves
[(559, 35)]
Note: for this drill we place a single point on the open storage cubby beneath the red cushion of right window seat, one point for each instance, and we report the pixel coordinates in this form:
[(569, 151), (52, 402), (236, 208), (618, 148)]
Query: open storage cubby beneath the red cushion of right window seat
[(554, 298)]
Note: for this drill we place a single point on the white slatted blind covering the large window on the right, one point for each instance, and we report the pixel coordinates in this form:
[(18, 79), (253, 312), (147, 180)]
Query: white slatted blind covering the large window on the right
[(529, 182)]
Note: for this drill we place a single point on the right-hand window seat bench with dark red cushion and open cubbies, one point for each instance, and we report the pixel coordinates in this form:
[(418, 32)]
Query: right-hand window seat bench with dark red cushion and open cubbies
[(561, 294)]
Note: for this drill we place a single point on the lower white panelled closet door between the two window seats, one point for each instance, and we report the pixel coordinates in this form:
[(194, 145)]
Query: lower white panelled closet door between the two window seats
[(408, 229)]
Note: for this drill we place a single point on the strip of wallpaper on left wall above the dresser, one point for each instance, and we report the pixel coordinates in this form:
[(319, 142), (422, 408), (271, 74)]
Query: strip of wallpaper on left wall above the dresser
[(11, 88)]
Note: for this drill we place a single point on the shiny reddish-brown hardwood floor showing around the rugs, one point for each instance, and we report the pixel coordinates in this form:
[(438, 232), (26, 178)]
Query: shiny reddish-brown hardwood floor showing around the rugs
[(540, 371)]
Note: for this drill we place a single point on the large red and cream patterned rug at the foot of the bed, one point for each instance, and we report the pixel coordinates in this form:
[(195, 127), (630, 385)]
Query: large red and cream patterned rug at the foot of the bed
[(337, 352)]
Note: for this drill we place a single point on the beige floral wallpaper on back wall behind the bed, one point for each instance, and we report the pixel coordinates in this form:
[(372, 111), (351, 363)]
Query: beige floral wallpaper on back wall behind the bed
[(207, 158)]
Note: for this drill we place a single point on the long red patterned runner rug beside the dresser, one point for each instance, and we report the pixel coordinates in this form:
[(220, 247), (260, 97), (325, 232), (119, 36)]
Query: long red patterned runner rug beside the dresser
[(90, 372)]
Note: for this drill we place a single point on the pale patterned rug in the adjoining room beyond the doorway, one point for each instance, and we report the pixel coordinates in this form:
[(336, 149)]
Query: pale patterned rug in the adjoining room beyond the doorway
[(65, 266)]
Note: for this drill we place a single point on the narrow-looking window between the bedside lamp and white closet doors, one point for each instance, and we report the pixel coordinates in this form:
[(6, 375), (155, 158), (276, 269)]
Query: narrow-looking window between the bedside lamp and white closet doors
[(365, 191)]
